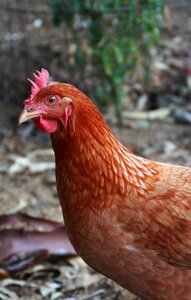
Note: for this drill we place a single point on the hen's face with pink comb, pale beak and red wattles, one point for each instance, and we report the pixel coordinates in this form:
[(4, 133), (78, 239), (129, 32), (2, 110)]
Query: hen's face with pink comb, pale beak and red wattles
[(49, 103)]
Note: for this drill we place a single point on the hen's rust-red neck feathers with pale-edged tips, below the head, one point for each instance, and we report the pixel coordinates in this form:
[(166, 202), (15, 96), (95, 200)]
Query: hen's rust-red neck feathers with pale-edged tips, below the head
[(94, 165)]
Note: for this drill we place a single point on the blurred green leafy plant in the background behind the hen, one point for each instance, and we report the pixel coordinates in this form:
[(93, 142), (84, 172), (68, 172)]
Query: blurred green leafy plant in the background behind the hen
[(120, 35)]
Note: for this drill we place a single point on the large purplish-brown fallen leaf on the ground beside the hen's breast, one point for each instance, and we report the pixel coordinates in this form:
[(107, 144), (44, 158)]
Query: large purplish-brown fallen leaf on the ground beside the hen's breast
[(22, 248)]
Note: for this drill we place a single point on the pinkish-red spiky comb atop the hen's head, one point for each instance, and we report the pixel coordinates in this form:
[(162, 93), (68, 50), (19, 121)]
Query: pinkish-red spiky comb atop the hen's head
[(40, 81)]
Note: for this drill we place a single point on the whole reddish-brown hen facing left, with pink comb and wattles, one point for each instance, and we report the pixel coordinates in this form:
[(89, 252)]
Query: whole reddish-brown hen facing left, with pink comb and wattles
[(127, 217)]
